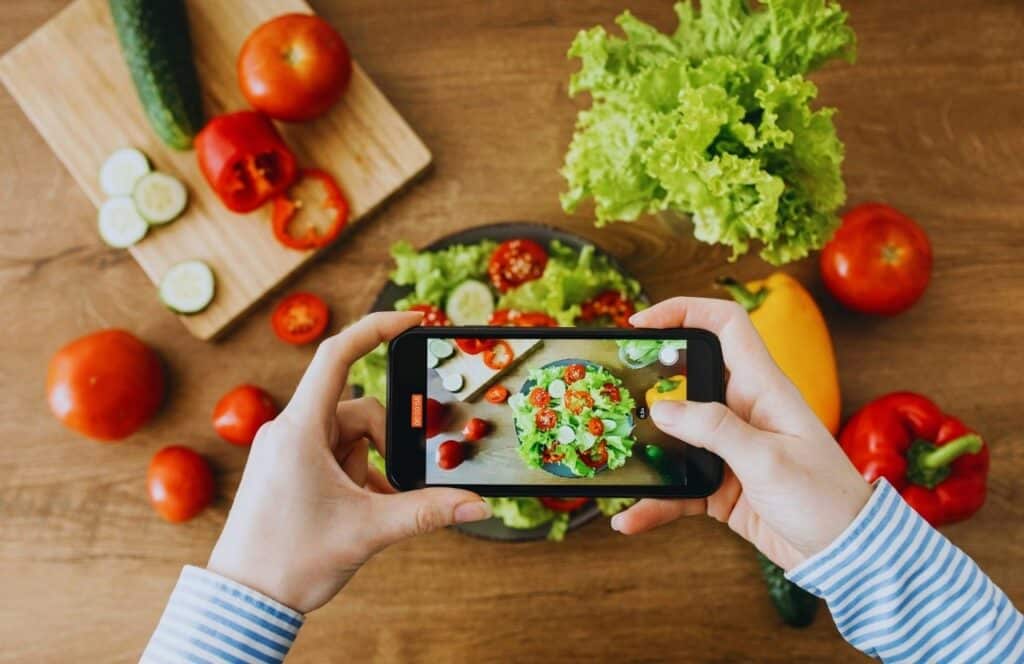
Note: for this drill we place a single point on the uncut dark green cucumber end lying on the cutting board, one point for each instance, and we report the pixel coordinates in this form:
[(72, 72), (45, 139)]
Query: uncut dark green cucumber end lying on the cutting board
[(157, 48)]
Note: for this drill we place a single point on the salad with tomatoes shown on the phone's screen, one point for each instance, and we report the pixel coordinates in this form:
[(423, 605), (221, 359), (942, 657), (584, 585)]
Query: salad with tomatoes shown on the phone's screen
[(579, 416)]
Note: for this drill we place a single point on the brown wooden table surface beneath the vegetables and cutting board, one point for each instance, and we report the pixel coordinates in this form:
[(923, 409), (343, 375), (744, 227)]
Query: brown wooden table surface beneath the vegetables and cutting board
[(931, 116)]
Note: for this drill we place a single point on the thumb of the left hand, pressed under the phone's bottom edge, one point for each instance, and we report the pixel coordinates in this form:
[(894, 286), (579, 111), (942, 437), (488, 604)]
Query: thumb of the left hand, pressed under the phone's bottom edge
[(398, 517)]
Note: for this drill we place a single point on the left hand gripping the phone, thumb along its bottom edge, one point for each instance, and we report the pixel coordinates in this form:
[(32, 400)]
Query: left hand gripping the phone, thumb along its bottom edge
[(309, 512)]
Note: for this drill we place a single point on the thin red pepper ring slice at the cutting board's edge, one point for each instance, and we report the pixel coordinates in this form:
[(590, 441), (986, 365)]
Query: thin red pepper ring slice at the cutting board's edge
[(312, 214)]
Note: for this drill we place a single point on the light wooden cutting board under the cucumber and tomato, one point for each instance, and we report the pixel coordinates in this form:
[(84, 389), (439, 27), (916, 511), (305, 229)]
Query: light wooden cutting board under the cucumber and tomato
[(72, 82)]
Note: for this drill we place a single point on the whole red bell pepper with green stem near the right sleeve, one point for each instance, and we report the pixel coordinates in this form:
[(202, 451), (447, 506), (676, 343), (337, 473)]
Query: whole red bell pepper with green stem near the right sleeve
[(937, 464)]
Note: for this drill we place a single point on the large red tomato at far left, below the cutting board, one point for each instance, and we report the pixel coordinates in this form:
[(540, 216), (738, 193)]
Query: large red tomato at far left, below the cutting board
[(105, 386)]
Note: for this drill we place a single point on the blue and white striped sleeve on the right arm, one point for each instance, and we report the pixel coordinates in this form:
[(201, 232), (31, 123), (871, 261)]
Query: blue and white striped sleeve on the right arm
[(901, 592)]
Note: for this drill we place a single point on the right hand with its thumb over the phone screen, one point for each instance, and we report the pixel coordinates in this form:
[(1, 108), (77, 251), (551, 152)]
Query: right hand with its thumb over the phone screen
[(789, 489)]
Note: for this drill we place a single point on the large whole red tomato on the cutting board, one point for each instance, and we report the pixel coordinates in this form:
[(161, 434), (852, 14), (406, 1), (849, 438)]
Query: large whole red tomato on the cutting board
[(294, 67)]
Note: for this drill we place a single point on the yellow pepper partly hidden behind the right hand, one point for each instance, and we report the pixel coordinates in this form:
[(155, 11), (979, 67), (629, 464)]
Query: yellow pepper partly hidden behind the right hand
[(793, 328)]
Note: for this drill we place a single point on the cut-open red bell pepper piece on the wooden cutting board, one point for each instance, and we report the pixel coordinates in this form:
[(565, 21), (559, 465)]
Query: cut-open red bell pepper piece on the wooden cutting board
[(244, 159)]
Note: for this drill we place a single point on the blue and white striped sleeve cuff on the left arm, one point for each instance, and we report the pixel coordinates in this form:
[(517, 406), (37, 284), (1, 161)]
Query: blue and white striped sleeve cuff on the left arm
[(210, 619)]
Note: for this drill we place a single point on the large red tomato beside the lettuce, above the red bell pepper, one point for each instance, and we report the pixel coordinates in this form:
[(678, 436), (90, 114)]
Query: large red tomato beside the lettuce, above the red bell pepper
[(879, 263)]
